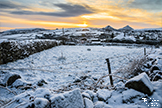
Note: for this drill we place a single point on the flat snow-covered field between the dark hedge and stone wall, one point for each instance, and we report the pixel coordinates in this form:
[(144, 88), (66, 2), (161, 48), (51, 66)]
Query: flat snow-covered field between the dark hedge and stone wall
[(63, 64)]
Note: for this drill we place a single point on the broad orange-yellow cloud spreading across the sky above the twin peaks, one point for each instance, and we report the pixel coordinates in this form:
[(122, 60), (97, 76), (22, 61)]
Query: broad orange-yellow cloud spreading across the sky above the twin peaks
[(116, 10)]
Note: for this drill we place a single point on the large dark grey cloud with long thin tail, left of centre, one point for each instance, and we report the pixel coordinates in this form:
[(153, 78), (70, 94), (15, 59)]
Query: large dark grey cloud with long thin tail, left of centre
[(68, 10)]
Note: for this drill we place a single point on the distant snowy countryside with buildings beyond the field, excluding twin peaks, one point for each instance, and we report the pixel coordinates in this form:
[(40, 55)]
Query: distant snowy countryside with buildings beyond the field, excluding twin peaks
[(76, 34)]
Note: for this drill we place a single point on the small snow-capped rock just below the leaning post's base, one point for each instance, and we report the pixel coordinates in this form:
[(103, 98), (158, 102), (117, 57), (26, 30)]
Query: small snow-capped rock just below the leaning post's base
[(103, 94)]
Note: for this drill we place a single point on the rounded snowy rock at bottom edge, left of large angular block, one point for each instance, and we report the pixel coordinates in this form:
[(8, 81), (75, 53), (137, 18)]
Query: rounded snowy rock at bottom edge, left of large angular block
[(41, 103)]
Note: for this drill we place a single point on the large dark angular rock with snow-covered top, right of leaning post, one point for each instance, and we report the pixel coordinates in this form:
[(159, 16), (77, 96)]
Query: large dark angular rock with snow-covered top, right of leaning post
[(140, 83)]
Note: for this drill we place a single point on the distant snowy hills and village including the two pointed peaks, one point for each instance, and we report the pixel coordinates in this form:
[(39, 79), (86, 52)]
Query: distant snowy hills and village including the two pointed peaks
[(85, 35)]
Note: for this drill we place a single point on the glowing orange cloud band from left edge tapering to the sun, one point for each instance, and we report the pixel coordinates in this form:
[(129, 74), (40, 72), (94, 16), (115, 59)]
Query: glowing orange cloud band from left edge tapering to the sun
[(38, 23)]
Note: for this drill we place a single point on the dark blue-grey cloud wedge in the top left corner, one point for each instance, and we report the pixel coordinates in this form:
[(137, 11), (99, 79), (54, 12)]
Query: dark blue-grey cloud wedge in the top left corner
[(10, 5)]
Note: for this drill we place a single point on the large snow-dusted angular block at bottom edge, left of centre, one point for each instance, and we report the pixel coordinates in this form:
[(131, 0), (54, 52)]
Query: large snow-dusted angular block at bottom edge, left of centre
[(71, 99)]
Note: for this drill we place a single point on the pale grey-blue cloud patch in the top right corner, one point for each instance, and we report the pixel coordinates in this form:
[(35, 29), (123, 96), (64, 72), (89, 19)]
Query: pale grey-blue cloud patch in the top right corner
[(151, 5)]
